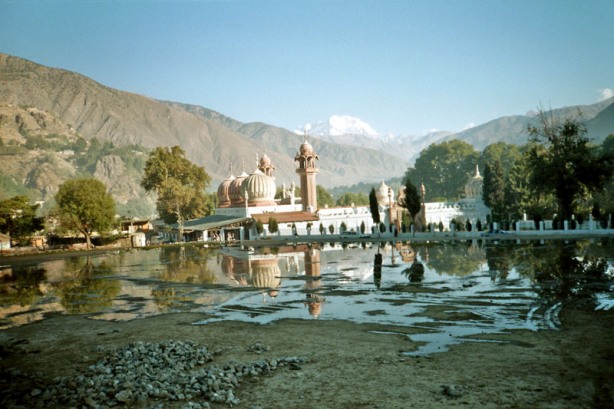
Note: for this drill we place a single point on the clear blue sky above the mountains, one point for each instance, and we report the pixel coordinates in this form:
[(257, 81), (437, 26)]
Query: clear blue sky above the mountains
[(404, 67)]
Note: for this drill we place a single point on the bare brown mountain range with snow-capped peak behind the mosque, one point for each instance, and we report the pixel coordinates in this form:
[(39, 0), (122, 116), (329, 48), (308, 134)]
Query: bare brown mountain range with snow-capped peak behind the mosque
[(44, 101)]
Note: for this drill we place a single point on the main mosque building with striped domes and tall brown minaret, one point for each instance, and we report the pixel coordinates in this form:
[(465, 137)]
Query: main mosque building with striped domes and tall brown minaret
[(248, 200)]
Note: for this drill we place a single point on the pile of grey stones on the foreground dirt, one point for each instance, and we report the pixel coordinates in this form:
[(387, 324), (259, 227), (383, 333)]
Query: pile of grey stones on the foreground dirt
[(144, 373)]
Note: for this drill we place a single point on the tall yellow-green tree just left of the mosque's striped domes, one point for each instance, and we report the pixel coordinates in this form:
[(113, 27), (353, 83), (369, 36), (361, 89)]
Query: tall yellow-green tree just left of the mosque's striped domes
[(179, 184)]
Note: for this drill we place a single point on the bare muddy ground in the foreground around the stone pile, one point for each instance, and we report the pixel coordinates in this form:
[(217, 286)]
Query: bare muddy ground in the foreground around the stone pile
[(351, 365)]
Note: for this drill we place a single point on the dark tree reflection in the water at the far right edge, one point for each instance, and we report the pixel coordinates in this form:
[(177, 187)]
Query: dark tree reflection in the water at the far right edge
[(567, 278)]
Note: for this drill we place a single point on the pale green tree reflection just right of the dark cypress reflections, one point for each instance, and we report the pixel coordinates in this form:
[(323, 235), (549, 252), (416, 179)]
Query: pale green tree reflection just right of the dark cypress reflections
[(453, 259)]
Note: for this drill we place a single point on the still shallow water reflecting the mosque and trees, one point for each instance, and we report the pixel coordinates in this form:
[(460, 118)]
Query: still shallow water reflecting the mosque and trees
[(446, 292)]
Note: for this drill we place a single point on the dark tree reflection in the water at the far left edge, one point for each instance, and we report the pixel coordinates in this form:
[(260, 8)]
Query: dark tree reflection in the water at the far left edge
[(21, 286)]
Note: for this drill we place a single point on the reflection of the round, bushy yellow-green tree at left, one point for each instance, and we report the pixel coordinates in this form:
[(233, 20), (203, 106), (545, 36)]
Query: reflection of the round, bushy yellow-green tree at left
[(87, 287)]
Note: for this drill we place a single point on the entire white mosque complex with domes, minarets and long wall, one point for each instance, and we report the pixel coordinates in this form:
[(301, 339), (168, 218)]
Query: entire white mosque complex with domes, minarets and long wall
[(248, 200)]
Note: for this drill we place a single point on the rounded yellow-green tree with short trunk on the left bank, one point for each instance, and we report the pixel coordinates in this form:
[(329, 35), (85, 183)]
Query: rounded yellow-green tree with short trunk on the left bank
[(84, 205)]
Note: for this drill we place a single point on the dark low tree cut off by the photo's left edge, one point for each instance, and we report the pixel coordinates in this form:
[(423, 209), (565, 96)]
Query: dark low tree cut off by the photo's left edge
[(18, 218)]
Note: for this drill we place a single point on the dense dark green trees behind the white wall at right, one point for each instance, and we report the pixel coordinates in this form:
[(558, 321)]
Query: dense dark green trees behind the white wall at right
[(558, 175)]
